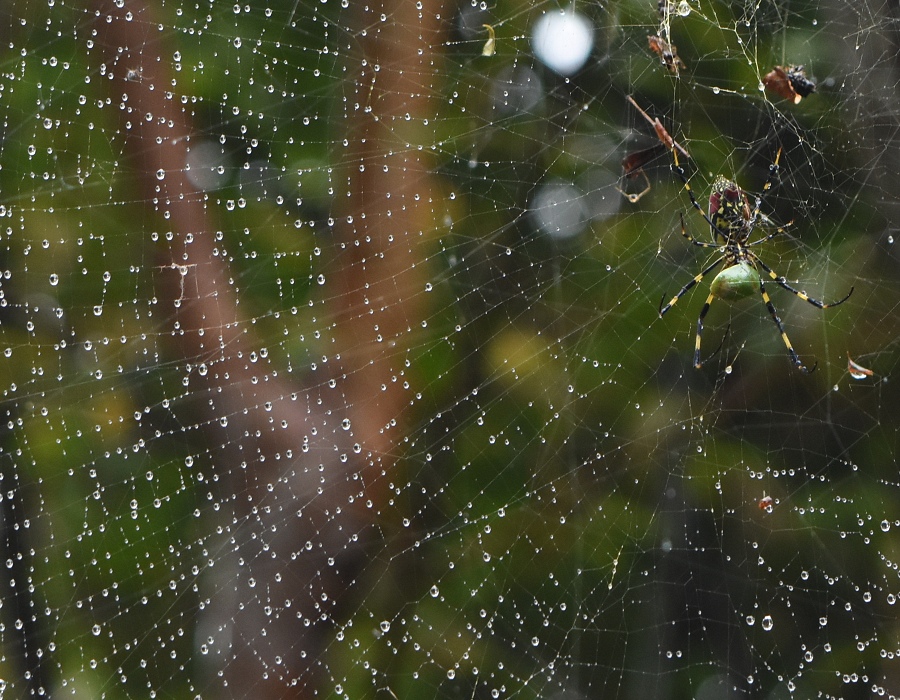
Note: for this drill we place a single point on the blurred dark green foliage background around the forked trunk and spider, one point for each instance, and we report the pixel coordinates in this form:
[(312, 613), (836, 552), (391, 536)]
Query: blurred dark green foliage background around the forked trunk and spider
[(564, 475)]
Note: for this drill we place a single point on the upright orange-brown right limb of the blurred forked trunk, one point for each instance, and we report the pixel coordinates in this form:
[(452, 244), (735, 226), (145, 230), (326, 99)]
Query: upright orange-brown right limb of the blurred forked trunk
[(385, 217)]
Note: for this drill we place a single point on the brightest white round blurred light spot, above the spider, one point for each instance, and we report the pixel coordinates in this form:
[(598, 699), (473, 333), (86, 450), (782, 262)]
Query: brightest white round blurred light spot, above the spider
[(563, 41)]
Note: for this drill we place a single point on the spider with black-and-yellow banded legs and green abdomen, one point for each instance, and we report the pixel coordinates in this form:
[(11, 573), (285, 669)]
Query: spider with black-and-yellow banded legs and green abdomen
[(731, 220)]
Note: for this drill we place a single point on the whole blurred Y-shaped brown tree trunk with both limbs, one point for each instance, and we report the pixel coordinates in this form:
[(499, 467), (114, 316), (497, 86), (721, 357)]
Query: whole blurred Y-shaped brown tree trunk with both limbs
[(281, 468)]
